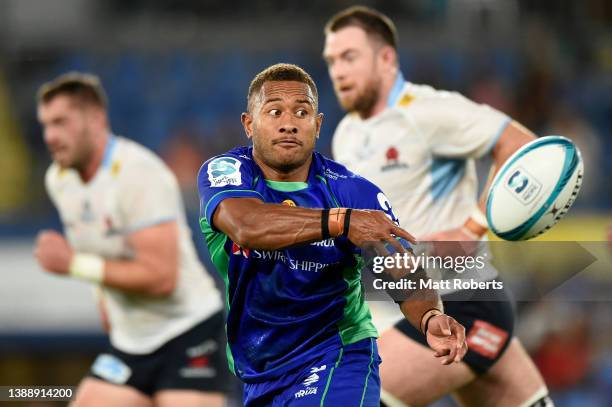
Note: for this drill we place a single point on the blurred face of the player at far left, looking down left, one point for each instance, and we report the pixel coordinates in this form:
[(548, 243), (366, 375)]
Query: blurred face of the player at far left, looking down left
[(66, 130)]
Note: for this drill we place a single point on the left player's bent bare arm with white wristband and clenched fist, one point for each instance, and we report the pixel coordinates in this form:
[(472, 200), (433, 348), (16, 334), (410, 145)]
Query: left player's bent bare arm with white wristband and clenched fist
[(152, 271)]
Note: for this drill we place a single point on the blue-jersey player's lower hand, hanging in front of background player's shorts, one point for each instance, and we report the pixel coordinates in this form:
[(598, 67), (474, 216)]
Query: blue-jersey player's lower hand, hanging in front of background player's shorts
[(446, 337)]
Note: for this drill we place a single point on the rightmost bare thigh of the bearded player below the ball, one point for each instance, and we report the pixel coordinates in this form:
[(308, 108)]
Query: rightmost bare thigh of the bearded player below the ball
[(512, 381)]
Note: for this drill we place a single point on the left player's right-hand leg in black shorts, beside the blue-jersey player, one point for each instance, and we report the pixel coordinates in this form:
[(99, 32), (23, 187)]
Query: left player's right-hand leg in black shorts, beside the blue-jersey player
[(194, 368)]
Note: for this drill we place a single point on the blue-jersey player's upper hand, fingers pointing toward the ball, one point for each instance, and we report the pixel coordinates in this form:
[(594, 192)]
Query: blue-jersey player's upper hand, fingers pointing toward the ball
[(369, 227)]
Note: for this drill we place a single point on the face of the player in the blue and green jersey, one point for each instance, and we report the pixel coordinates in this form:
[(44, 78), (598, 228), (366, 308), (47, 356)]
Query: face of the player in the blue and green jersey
[(283, 124)]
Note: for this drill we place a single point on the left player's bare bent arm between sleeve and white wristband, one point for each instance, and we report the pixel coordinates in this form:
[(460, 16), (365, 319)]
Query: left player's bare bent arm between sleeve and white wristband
[(154, 268)]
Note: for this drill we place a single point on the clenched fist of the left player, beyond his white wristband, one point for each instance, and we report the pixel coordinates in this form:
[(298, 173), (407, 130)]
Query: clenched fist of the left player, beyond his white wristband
[(53, 252)]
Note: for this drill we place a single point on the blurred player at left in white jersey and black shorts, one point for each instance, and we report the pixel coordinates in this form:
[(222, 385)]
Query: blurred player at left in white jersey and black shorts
[(126, 233)]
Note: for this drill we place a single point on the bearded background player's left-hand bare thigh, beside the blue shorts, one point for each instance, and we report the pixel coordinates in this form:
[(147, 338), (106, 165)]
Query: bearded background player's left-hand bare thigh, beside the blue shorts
[(411, 375)]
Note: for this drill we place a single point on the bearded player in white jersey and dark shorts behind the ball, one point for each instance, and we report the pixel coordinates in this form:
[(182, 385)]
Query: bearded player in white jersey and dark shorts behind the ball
[(419, 145)]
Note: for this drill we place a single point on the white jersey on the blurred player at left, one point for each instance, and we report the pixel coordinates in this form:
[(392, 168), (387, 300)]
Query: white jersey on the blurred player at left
[(132, 190)]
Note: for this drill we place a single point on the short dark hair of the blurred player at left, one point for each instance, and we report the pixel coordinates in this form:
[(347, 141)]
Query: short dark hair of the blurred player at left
[(85, 87)]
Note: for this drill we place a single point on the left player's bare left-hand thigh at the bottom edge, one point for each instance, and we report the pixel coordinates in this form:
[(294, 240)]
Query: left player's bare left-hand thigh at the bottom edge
[(93, 392)]
